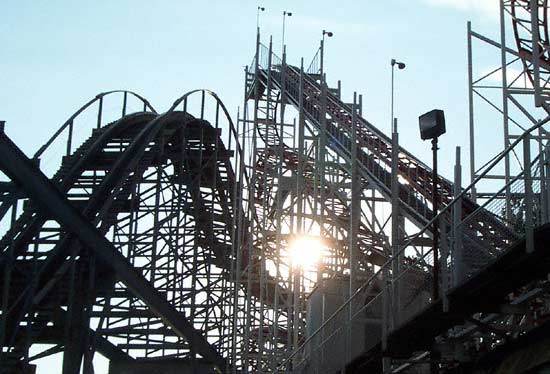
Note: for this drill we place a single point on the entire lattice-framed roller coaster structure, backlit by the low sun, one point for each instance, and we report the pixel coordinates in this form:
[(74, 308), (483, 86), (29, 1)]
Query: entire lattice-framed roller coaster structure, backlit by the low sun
[(167, 241)]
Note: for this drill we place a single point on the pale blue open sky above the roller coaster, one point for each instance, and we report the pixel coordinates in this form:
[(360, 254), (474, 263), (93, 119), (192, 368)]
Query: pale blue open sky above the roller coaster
[(56, 55)]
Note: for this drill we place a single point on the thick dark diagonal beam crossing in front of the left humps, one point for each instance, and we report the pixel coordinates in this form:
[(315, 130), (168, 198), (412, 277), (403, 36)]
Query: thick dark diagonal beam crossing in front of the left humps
[(44, 193)]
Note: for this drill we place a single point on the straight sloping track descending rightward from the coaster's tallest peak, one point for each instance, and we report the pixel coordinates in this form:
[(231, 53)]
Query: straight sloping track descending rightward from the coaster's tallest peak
[(375, 156)]
